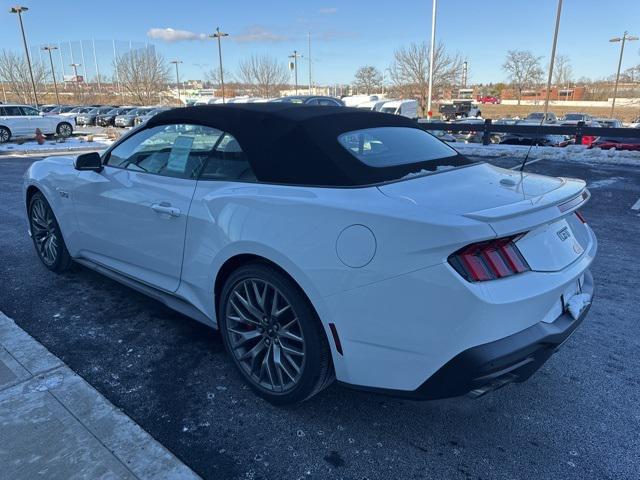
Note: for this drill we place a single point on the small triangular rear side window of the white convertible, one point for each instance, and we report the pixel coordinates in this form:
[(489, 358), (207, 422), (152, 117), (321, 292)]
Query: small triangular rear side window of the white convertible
[(228, 162)]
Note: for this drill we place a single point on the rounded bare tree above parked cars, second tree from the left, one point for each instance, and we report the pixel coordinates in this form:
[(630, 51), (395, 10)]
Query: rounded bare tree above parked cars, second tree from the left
[(143, 74)]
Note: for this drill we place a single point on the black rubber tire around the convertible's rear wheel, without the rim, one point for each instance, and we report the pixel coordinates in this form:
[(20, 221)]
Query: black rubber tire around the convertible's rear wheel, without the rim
[(316, 371)]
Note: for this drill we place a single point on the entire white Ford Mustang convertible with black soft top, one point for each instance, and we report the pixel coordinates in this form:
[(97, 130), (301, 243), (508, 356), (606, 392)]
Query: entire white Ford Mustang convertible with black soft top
[(328, 243)]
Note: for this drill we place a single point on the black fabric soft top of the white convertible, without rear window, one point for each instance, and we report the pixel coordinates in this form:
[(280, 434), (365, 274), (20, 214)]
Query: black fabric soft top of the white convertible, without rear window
[(298, 144)]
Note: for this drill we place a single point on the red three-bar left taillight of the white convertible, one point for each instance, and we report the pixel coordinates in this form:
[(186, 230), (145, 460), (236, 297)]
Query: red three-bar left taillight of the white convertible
[(489, 260)]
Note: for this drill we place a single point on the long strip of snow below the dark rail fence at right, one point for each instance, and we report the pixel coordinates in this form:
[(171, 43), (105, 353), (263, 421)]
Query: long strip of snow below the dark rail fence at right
[(577, 153)]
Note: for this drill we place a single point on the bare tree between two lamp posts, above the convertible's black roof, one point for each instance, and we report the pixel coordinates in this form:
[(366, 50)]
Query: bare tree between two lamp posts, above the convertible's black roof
[(264, 75)]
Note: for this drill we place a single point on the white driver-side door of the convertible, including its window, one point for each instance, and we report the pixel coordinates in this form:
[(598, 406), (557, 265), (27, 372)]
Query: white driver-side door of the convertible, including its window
[(132, 215)]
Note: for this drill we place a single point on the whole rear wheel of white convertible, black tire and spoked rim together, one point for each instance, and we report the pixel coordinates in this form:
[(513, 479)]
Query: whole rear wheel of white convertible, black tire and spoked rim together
[(273, 334)]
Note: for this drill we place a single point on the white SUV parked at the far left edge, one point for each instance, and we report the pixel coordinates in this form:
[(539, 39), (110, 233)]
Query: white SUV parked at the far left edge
[(22, 121)]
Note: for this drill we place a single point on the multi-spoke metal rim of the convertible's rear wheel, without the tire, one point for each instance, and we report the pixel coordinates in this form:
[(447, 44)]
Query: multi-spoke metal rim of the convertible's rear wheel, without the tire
[(265, 335)]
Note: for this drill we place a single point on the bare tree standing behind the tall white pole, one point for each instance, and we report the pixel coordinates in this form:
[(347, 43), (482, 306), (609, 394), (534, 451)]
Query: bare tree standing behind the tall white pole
[(410, 71)]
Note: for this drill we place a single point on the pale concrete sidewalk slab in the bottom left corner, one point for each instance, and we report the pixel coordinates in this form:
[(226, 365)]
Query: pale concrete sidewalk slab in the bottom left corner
[(53, 424)]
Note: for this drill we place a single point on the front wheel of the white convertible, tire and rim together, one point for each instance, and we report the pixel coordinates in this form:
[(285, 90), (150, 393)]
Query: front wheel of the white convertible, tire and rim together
[(54, 254)]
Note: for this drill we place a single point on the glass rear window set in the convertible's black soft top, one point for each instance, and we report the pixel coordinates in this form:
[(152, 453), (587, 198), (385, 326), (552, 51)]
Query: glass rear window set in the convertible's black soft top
[(393, 146)]
